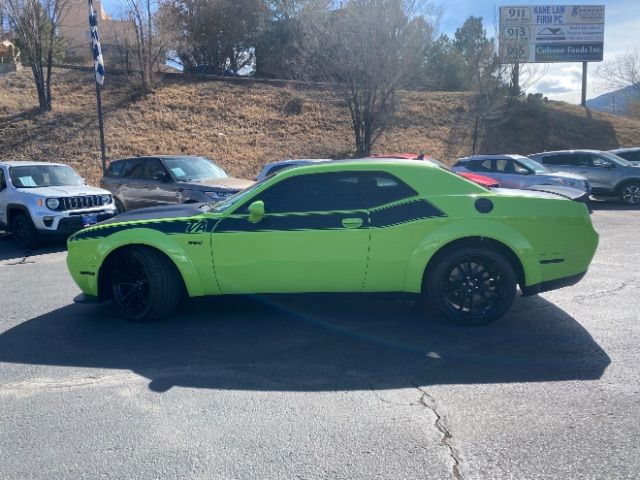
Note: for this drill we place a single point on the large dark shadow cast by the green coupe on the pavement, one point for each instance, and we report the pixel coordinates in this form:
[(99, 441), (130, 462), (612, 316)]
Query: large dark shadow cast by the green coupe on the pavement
[(312, 343)]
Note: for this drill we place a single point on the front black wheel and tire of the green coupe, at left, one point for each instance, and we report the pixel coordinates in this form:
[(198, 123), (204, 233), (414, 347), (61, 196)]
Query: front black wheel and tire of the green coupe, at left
[(145, 284)]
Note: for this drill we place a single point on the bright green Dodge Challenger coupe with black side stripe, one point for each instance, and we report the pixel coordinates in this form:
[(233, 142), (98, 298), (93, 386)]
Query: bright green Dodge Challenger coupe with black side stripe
[(342, 226)]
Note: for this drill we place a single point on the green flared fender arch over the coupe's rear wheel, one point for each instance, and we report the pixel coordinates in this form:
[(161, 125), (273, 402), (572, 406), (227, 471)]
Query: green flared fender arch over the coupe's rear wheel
[(453, 231)]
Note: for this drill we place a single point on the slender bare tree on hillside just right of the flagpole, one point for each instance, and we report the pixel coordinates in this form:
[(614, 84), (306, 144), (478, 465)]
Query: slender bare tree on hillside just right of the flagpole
[(149, 46)]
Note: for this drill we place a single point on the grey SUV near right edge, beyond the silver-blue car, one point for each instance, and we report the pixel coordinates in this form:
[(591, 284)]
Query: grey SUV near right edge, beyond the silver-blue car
[(607, 173)]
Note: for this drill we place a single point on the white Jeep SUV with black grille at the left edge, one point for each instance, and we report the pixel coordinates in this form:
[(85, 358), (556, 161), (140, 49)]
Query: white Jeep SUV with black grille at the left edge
[(39, 200)]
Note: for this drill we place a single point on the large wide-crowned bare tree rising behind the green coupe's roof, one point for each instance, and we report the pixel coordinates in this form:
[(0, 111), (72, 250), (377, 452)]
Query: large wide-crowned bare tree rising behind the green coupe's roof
[(368, 48)]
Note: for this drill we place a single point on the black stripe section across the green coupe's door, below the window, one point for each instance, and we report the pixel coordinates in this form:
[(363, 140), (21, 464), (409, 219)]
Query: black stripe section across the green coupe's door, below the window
[(290, 222)]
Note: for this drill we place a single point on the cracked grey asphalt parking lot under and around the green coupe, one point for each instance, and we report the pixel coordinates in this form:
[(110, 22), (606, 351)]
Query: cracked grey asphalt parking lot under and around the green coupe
[(323, 386)]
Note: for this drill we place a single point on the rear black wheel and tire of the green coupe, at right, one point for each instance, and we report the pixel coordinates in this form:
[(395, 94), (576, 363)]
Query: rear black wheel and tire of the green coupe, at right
[(471, 285)]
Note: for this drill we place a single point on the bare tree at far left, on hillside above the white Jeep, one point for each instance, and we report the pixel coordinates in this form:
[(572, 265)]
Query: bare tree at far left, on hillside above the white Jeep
[(35, 25)]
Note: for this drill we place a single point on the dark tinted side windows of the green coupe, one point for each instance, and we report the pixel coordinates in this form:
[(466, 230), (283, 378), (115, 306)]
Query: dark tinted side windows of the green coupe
[(333, 191)]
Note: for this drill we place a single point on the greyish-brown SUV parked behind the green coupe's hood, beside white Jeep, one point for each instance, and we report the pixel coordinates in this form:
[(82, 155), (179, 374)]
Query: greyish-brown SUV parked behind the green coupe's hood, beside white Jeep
[(168, 179)]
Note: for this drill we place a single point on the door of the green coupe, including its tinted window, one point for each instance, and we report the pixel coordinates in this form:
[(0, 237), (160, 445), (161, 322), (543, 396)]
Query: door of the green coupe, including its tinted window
[(313, 238)]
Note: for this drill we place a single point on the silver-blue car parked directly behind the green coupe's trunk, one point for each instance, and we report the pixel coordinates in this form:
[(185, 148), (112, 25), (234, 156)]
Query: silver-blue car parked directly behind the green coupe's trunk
[(517, 171)]
